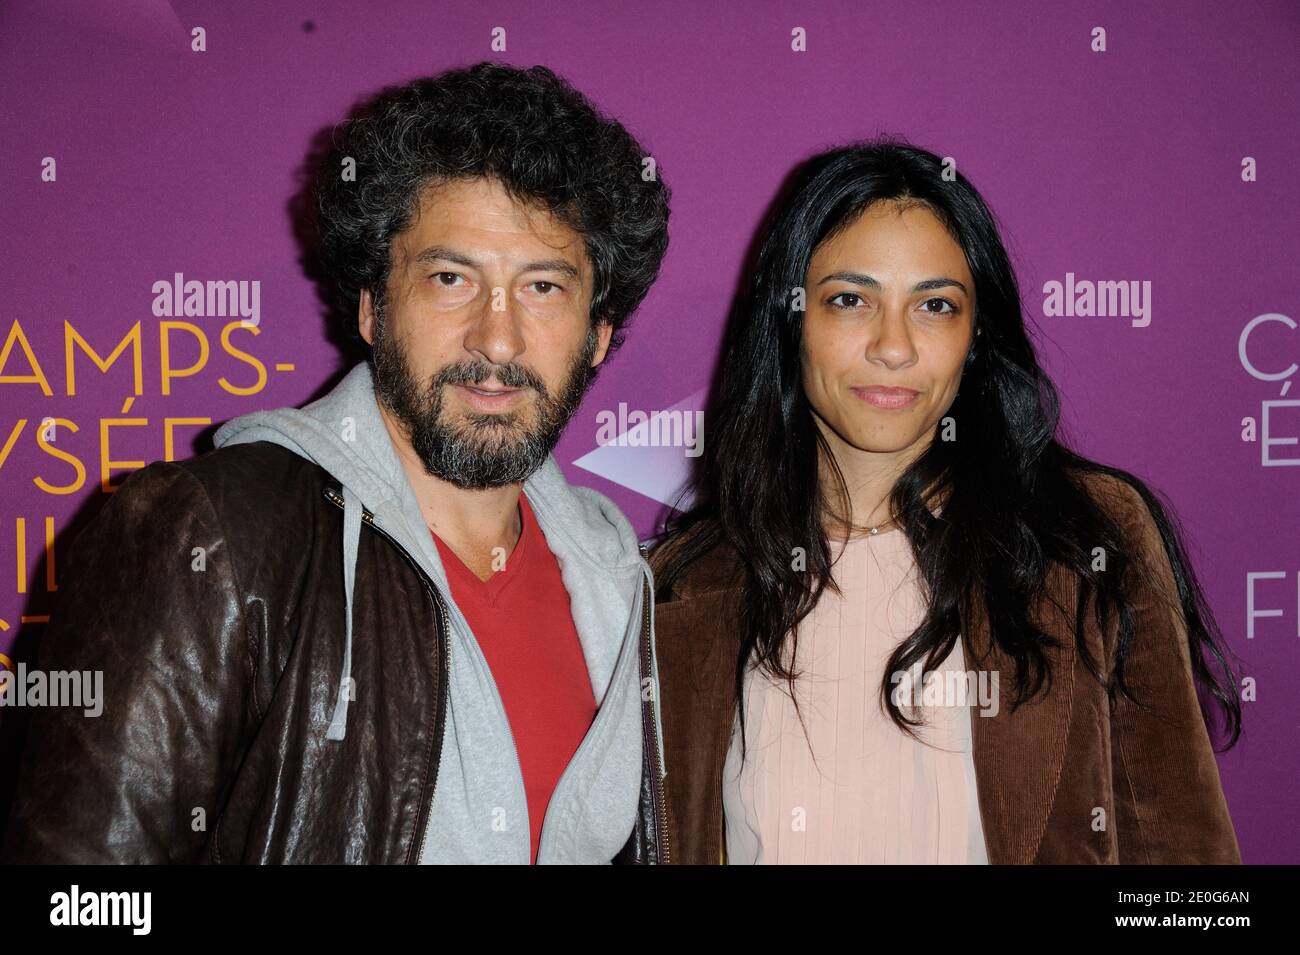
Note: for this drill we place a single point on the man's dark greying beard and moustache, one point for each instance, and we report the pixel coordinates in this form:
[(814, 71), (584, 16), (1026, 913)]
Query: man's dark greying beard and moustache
[(486, 450)]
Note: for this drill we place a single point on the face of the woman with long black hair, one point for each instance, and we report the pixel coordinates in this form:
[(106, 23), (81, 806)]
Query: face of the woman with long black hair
[(890, 318)]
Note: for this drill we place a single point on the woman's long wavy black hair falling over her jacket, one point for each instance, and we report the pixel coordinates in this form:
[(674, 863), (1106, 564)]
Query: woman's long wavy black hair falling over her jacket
[(1015, 502)]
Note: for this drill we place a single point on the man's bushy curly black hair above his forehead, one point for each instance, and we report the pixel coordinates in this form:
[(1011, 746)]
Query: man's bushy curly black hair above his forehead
[(527, 129)]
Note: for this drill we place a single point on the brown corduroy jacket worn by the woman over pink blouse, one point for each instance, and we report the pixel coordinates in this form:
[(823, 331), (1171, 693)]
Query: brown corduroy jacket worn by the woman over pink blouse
[(1041, 771)]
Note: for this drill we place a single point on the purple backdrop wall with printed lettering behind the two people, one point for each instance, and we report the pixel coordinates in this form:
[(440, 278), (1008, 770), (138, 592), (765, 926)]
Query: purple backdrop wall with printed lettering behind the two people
[(128, 157)]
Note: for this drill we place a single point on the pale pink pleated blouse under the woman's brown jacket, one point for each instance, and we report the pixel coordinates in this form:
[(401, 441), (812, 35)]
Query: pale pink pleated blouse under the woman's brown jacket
[(874, 795)]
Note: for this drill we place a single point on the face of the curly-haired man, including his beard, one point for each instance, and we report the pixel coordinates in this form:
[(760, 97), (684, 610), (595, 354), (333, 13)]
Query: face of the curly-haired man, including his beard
[(483, 344)]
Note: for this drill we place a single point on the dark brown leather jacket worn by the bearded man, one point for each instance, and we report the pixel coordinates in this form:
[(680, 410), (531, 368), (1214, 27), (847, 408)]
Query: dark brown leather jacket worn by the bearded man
[(203, 752)]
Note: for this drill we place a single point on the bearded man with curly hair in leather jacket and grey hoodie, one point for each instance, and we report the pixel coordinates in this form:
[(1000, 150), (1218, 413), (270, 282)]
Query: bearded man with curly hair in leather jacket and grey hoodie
[(384, 628)]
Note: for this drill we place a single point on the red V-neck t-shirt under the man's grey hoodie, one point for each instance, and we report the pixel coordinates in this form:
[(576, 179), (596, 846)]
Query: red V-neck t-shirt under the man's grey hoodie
[(522, 619)]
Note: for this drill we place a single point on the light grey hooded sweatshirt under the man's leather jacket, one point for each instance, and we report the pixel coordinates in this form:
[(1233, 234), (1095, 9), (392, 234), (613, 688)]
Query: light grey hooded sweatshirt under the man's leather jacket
[(480, 813)]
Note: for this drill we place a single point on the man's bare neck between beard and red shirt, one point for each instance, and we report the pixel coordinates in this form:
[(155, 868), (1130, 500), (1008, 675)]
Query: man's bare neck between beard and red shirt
[(473, 523)]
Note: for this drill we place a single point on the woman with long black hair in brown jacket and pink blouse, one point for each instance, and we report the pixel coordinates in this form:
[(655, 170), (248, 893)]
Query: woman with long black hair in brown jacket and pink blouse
[(903, 622)]
